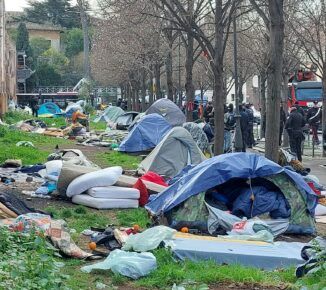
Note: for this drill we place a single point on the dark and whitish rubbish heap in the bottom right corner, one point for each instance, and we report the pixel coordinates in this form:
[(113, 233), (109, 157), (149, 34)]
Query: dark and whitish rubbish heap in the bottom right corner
[(315, 256)]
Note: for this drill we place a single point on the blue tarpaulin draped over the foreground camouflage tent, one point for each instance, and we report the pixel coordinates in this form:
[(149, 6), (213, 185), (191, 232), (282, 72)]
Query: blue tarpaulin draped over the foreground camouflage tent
[(218, 170)]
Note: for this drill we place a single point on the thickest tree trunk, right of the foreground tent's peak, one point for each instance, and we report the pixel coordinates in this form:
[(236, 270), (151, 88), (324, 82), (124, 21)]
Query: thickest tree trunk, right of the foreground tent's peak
[(276, 12)]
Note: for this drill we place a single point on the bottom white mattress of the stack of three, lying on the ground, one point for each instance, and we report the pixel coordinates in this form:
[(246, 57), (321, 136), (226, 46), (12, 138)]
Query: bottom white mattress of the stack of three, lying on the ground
[(104, 203)]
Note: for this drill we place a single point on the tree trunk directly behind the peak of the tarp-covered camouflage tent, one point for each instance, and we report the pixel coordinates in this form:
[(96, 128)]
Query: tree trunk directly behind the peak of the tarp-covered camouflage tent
[(219, 92)]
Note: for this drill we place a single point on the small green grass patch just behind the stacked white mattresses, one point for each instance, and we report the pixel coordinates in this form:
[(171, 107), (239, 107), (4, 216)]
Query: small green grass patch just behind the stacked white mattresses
[(115, 158)]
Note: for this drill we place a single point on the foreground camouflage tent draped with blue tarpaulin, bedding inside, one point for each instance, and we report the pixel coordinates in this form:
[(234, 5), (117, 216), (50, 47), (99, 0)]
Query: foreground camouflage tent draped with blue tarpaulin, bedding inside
[(218, 181)]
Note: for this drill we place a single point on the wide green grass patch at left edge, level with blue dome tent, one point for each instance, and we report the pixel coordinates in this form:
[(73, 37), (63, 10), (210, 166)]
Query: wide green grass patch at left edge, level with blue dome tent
[(28, 155)]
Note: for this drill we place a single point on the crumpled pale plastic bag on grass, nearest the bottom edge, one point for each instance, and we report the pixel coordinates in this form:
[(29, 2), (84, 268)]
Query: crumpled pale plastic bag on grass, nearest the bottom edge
[(133, 265)]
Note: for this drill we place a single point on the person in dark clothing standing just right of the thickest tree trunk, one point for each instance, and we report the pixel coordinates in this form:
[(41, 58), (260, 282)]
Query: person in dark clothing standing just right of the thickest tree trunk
[(294, 126)]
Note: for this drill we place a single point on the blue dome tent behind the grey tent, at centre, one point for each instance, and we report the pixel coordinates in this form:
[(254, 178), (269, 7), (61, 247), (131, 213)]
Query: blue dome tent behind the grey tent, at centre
[(146, 134)]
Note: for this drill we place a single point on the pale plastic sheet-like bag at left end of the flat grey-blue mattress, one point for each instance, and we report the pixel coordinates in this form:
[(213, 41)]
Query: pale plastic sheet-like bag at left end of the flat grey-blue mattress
[(149, 239)]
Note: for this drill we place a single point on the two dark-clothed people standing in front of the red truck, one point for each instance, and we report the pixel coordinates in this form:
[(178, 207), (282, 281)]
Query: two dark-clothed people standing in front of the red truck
[(296, 123)]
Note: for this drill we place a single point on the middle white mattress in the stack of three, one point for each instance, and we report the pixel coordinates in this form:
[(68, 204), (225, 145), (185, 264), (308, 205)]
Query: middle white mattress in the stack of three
[(114, 192)]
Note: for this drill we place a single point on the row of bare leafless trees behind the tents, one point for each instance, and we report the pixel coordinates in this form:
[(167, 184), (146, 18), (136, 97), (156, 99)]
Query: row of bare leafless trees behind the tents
[(141, 45)]
